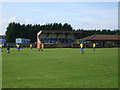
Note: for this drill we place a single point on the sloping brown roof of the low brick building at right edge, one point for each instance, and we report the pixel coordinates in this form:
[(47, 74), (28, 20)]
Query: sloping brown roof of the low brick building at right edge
[(101, 37)]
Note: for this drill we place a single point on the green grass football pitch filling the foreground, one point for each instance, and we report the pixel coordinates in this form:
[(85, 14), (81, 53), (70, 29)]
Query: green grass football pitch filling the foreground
[(60, 68)]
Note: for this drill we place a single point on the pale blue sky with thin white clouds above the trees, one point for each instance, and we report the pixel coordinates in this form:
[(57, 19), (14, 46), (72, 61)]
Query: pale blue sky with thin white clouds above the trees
[(81, 15)]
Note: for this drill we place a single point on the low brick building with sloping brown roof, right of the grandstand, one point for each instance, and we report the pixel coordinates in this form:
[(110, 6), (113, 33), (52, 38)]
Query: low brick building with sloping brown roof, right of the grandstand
[(102, 40)]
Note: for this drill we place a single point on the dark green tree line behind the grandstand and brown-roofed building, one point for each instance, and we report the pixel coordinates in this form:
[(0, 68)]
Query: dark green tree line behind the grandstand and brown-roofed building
[(29, 31)]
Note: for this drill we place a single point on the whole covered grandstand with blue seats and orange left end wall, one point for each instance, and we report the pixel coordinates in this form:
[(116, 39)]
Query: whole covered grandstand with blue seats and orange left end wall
[(57, 38)]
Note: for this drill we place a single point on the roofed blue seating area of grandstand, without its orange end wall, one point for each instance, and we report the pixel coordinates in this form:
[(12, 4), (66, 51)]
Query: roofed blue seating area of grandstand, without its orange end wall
[(53, 36)]
